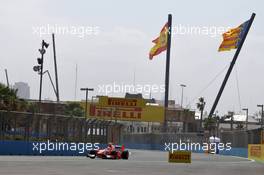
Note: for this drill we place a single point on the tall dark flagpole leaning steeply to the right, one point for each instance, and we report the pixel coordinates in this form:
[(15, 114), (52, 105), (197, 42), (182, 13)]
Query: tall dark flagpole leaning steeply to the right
[(232, 65)]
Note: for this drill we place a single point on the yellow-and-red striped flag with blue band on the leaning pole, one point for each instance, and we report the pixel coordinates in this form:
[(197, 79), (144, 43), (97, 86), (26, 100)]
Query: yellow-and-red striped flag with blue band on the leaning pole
[(232, 38)]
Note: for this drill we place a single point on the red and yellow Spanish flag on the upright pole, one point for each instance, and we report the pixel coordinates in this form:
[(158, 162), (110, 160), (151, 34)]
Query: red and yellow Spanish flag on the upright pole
[(160, 42)]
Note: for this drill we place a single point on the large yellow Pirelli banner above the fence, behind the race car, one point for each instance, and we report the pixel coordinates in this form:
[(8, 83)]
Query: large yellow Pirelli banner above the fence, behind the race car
[(112, 108)]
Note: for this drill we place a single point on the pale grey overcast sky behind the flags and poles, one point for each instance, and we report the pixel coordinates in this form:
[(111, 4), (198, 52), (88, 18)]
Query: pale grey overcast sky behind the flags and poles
[(117, 48)]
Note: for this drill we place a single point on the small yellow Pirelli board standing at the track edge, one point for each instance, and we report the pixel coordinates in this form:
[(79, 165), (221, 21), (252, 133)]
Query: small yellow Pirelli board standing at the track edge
[(180, 157)]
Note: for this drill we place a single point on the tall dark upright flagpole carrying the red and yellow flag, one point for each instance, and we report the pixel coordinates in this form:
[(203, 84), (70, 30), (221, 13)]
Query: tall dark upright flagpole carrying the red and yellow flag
[(167, 73)]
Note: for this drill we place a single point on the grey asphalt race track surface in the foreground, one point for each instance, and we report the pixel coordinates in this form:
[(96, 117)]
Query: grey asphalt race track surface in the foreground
[(140, 162)]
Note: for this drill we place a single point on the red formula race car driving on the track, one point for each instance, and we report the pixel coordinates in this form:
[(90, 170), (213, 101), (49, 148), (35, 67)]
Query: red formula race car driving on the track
[(111, 152)]
